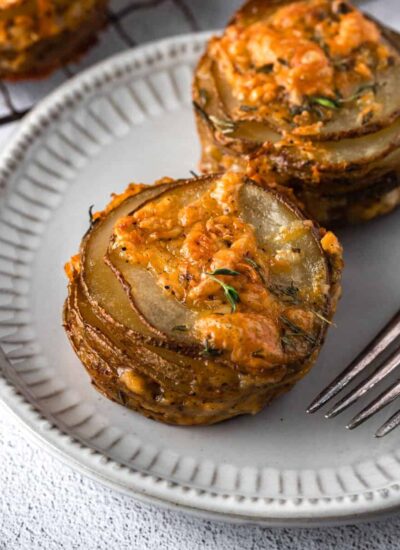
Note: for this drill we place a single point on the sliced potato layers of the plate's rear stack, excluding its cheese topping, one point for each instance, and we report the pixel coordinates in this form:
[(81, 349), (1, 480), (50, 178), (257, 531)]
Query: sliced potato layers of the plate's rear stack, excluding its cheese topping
[(343, 152)]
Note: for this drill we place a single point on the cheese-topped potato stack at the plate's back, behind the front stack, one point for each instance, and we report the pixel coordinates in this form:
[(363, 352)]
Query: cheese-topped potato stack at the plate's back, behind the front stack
[(310, 91)]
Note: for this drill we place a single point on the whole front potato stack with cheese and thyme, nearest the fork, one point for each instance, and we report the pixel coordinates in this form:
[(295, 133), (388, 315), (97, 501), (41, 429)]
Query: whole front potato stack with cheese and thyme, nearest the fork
[(194, 301)]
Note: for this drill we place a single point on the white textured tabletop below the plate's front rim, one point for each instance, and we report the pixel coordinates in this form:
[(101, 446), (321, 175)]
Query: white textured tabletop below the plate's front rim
[(46, 505)]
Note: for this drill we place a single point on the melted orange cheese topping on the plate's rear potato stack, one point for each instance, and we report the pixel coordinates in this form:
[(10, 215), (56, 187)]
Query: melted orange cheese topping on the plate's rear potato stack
[(303, 51)]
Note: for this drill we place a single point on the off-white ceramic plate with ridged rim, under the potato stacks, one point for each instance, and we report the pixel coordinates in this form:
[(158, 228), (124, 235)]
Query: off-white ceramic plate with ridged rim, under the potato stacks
[(130, 119)]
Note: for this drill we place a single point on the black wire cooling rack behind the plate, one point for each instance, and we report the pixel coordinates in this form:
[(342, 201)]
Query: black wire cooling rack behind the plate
[(117, 18)]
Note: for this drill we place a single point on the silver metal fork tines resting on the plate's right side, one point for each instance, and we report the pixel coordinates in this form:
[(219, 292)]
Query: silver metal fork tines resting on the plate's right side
[(380, 343)]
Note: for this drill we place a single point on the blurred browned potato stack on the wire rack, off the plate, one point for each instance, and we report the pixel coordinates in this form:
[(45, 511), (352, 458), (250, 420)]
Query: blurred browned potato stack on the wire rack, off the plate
[(37, 36)]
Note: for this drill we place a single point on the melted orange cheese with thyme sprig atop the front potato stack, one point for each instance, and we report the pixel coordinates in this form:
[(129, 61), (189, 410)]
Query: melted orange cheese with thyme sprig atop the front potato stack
[(184, 239)]
